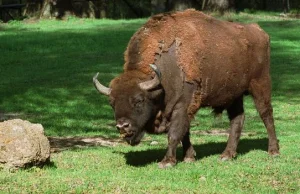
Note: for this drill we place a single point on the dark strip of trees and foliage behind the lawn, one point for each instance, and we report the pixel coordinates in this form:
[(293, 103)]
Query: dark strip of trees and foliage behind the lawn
[(117, 9)]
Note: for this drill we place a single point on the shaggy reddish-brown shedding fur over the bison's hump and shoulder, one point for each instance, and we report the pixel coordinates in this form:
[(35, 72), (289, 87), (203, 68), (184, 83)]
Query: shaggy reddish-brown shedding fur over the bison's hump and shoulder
[(158, 34)]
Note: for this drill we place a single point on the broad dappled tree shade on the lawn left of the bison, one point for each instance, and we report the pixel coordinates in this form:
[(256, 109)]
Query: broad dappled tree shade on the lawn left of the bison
[(47, 77)]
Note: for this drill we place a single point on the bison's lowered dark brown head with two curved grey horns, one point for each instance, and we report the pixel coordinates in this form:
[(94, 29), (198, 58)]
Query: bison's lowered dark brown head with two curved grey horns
[(136, 100)]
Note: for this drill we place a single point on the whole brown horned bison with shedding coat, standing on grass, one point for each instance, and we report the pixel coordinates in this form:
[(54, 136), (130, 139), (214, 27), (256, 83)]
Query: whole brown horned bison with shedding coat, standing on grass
[(199, 61)]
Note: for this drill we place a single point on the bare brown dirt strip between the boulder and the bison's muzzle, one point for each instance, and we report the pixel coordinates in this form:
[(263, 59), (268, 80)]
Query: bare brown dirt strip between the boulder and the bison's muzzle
[(59, 144)]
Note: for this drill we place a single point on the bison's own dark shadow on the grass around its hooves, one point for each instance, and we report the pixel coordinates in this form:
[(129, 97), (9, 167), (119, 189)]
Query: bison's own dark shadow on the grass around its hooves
[(143, 158)]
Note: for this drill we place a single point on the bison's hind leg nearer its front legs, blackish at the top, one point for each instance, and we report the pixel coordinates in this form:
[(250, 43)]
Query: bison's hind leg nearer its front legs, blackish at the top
[(236, 116)]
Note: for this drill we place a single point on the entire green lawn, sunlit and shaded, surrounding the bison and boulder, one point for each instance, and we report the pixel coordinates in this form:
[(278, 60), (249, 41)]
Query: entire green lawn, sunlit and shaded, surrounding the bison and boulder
[(46, 70)]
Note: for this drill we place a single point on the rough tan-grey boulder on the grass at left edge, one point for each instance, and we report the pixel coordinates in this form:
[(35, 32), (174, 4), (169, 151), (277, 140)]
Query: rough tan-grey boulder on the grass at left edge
[(23, 144)]
